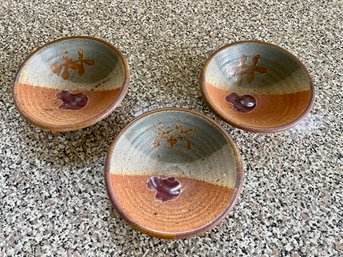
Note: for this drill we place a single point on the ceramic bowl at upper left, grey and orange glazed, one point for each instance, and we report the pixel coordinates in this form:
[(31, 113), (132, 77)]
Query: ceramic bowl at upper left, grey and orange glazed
[(71, 83)]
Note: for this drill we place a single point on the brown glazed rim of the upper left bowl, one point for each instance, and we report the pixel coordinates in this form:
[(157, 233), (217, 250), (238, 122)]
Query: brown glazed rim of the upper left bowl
[(92, 120)]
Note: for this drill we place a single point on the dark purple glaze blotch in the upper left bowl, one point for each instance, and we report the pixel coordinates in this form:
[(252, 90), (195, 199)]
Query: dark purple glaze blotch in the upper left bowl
[(72, 101)]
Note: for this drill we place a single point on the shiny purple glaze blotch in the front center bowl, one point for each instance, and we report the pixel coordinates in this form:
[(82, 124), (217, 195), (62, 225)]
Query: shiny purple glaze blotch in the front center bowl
[(166, 188)]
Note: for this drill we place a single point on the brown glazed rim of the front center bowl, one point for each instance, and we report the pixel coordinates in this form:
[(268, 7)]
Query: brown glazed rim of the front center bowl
[(185, 234)]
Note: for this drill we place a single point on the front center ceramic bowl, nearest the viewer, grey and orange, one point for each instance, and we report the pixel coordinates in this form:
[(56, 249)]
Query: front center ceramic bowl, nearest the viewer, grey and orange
[(173, 173)]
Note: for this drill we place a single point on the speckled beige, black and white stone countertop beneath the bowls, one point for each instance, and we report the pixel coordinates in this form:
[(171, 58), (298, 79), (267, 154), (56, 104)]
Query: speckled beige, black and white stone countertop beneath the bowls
[(52, 196)]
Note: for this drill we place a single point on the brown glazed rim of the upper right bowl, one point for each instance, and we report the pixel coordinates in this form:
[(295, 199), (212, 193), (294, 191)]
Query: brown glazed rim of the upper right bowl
[(245, 127)]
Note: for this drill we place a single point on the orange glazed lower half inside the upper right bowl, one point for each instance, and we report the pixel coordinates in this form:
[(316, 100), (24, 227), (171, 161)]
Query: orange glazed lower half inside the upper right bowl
[(270, 110)]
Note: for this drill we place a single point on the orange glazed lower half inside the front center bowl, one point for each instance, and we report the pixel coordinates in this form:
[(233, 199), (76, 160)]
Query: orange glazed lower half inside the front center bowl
[(198, 204)]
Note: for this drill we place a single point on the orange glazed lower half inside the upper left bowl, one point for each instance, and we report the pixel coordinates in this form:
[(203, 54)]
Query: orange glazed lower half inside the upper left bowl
[(40, 104)]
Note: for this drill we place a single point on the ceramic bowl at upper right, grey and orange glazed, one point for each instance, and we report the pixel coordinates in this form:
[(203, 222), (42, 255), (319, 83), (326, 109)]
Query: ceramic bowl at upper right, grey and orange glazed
[(257, 86)]
